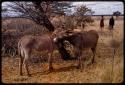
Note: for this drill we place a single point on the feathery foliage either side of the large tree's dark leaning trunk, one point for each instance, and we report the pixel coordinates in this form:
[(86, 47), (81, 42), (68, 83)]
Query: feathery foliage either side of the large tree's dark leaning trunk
[(27, 9)]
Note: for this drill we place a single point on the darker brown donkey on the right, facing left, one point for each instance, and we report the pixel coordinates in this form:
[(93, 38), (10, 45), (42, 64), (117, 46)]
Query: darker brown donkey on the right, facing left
[(80, 41)]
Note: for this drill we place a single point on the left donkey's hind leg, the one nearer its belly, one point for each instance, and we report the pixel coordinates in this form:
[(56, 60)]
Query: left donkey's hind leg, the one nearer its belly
[(26, 61)]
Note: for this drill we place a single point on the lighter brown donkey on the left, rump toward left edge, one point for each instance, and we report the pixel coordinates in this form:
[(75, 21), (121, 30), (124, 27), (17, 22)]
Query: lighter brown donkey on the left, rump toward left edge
[(28, 44)]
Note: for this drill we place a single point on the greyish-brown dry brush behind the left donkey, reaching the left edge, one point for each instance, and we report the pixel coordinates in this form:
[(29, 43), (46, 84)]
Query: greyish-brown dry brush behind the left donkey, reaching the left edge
[(16, 28)]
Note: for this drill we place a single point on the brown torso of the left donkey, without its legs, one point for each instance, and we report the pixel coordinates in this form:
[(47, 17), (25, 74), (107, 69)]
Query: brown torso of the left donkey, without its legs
[(38, 43)]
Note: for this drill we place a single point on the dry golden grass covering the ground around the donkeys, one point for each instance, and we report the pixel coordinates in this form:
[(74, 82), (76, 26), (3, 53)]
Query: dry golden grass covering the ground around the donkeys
[(66, 72)]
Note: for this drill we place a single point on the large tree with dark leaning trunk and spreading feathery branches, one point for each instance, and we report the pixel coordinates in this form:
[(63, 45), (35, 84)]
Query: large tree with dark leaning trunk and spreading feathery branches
[(40, 11)]
